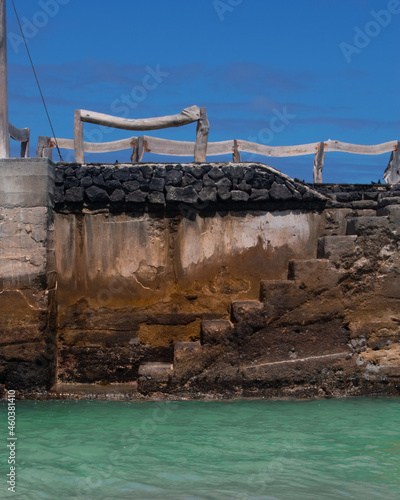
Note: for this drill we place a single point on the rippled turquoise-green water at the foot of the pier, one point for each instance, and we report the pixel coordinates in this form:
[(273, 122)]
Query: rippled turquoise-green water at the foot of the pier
[(244, 450)]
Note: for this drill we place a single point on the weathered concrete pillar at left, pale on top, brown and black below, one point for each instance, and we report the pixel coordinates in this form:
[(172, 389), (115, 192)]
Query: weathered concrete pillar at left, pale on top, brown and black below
[(27, 273)]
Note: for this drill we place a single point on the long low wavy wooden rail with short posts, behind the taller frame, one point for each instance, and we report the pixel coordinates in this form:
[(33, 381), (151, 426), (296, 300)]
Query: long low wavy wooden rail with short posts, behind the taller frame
[(155, 145)]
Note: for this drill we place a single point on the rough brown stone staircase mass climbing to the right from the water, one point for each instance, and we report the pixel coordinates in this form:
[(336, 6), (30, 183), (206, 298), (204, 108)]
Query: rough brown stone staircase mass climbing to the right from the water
[(331, 329)]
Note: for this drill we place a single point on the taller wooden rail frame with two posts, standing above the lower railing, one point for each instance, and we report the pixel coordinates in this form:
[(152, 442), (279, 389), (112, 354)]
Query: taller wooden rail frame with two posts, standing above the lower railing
[(186, 116)]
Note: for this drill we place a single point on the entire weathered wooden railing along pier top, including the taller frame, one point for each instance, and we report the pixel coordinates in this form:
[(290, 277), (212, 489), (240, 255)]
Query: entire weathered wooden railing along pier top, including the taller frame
[(202, 147)]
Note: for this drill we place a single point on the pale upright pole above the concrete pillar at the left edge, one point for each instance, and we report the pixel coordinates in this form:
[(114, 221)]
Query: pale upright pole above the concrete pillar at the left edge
[(4, 131)]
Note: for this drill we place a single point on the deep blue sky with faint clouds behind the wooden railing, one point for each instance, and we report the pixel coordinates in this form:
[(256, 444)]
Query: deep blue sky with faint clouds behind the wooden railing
[(327, 69)]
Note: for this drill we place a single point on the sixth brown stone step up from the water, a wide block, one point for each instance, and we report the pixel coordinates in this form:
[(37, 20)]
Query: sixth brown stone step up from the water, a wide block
[(315, 274)]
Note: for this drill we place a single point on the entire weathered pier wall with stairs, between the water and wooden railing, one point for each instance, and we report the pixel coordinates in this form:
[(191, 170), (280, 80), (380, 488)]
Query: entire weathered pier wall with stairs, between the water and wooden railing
[(226, 279)]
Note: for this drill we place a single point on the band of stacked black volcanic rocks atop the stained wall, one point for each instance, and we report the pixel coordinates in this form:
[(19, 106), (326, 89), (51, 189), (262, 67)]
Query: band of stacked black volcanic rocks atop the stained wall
[(122, 187)]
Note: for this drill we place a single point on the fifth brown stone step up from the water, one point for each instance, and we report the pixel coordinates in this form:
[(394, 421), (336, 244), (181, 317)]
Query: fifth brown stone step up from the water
[(281, 296)]
